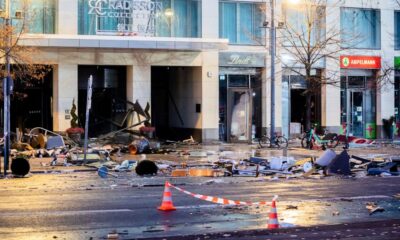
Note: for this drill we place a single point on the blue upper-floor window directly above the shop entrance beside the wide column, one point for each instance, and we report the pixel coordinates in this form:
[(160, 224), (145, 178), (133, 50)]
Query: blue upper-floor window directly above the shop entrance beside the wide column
[(241, 22)]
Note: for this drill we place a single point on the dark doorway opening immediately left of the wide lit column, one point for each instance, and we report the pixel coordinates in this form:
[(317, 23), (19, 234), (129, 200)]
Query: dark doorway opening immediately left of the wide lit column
[(175, 109)]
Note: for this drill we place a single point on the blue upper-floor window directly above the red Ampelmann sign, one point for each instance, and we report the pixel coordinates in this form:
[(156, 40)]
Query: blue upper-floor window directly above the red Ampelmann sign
[(360, 28)]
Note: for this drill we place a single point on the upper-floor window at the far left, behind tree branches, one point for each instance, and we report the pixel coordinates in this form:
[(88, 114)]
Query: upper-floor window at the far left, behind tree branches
[(37, 16)]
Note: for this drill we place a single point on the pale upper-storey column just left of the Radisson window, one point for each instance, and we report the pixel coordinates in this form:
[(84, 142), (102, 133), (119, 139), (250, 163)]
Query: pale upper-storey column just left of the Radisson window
[(67, 17)]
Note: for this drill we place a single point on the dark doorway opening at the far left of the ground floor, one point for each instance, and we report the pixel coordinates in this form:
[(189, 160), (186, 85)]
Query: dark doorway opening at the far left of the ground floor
[(31, 103)]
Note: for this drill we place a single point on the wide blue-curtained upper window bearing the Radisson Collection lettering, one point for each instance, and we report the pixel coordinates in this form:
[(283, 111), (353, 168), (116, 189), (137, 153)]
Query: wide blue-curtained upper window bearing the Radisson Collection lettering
[(154, 18)]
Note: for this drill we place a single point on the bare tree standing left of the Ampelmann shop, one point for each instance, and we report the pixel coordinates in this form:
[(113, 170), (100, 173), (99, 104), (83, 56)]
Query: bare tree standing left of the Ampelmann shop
[(308, 40)]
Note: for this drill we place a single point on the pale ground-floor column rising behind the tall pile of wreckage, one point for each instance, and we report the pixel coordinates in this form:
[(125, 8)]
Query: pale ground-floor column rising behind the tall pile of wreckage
[(138, 86)]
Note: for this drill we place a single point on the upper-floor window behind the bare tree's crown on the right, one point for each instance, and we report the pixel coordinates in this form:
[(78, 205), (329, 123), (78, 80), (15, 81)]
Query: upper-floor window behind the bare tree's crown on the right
[(305, 25)]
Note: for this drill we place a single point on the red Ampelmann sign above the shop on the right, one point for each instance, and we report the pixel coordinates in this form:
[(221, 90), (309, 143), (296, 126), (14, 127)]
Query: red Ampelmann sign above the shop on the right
[(363, 62)]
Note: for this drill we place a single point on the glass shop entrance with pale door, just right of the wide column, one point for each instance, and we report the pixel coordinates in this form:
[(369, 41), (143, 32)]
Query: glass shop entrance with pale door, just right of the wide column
[(240, 105)]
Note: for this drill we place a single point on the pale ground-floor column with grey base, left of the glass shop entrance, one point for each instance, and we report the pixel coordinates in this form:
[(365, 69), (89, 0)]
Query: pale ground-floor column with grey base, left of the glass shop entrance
[(210, 96)]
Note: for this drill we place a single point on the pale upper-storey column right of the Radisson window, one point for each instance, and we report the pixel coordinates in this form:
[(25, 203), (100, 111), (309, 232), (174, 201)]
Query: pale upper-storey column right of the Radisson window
[(210, 19)]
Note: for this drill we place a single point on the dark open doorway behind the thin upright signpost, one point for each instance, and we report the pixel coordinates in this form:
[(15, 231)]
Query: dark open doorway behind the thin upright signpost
[(108, 98)]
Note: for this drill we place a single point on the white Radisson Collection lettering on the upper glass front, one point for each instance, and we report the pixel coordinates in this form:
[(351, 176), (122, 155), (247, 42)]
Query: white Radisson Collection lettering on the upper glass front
[(134, 16)]
